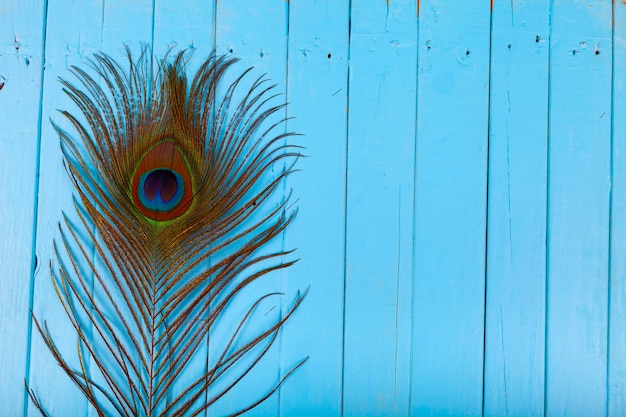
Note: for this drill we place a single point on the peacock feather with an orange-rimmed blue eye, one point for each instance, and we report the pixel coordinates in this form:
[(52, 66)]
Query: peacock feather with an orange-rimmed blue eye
[(174, 180)]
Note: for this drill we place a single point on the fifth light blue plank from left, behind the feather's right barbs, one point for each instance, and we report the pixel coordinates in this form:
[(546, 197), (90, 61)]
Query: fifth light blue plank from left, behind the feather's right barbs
[(257, 34)]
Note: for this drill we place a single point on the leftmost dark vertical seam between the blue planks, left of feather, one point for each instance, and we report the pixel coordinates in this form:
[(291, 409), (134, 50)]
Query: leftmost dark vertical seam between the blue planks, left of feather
[(31, 290)]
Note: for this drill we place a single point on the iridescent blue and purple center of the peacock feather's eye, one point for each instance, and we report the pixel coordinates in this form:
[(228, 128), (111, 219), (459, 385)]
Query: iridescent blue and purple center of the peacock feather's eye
[(161, 189)]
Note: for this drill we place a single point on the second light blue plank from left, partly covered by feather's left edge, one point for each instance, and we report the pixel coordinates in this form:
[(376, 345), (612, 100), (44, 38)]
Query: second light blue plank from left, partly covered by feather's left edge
[(68, 40)]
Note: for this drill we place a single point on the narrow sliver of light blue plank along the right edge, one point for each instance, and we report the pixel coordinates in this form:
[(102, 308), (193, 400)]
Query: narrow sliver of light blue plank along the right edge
[(617, 284)]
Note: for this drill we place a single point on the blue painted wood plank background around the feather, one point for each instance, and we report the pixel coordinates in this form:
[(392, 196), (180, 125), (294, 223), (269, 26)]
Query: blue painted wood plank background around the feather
[(462, 214)]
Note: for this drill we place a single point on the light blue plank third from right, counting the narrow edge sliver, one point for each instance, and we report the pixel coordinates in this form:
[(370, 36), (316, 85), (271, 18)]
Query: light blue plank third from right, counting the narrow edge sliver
[(516, 241)]
